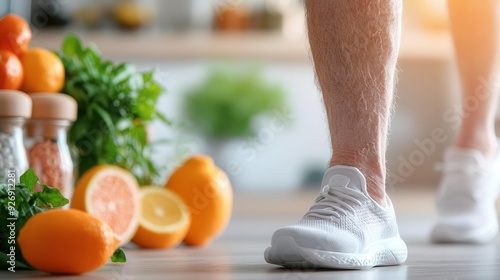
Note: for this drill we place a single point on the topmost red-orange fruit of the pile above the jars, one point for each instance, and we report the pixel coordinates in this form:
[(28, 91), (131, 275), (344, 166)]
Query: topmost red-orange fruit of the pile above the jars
[(15, 34)]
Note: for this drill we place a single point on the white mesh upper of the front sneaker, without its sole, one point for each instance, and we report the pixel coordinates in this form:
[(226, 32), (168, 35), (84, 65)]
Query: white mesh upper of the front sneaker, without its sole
[(343, 218)]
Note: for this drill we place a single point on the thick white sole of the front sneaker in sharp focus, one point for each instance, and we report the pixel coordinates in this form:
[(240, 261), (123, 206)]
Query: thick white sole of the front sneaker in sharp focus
[(386, 252)]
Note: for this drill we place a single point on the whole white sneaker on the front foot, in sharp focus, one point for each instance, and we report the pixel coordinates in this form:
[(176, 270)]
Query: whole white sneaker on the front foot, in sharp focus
[(344, 229)]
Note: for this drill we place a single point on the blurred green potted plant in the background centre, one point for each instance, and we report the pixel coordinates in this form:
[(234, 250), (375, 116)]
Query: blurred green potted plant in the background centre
[(227, 104)]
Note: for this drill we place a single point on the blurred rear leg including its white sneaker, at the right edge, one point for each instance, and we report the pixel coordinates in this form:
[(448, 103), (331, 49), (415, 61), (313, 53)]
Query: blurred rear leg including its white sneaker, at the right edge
[(466, 200)]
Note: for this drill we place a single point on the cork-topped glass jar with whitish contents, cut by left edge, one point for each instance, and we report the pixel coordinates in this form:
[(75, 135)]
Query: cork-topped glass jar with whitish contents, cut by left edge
[(15, 108)]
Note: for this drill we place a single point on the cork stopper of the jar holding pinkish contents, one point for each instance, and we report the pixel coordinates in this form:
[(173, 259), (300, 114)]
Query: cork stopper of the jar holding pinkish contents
[(51, 113)]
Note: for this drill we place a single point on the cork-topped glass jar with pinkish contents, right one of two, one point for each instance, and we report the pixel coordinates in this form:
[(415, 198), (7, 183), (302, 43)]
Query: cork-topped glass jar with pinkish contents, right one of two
[(48, 150)]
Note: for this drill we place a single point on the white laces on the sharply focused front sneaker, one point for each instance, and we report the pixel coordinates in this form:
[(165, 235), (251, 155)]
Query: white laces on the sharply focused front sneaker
[(333, 202)]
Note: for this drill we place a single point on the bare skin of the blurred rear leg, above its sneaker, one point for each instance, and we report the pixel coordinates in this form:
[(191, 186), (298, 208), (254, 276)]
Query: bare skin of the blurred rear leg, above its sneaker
[(475, 28)]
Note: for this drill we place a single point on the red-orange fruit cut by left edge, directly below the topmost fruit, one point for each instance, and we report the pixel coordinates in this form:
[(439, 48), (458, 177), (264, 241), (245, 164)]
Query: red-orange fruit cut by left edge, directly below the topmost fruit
[(11, 70)]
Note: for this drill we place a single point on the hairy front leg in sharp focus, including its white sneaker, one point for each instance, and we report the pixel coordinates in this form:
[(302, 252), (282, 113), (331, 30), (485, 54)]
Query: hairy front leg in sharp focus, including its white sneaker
[(351, 224)]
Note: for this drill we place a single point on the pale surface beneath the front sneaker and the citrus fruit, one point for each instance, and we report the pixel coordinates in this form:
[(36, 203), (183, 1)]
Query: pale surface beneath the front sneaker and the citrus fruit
[(238, 253)]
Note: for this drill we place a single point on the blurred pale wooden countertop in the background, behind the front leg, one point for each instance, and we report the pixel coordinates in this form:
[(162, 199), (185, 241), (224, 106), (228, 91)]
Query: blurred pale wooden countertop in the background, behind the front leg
[(151, 45)]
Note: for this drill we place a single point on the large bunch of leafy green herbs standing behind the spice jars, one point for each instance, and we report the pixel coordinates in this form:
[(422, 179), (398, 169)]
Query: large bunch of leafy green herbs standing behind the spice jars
[(115, 105)]
